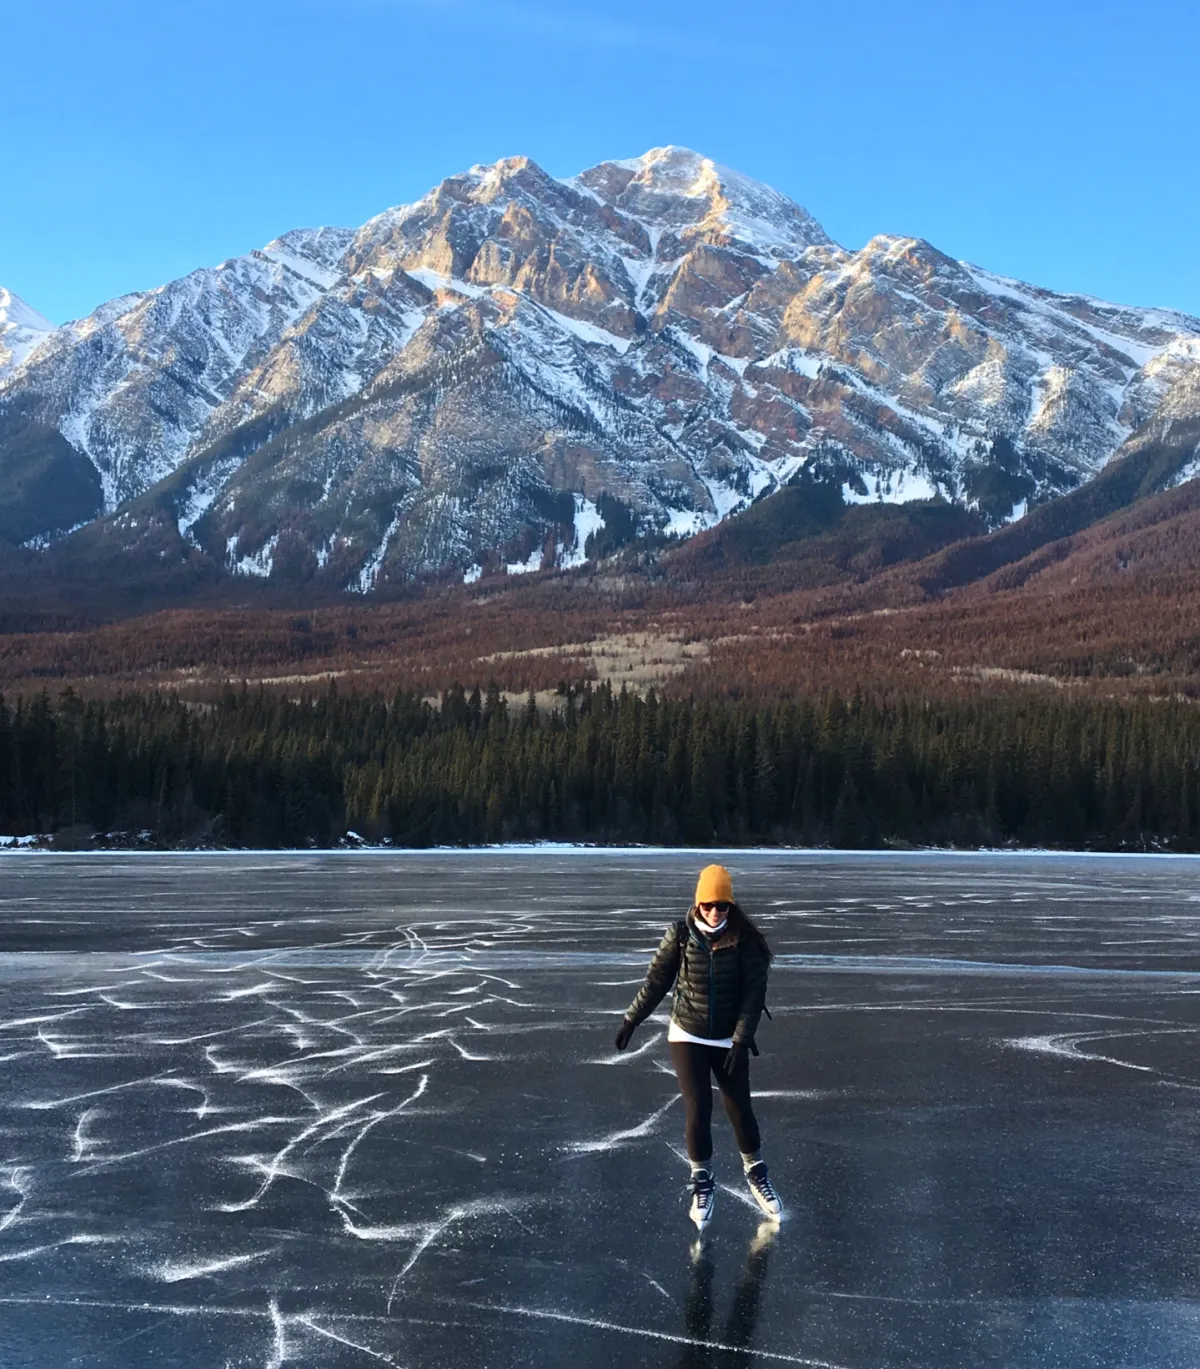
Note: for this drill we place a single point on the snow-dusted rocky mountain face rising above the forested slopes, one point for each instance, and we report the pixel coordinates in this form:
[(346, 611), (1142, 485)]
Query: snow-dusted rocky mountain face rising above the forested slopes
[(519, 372)]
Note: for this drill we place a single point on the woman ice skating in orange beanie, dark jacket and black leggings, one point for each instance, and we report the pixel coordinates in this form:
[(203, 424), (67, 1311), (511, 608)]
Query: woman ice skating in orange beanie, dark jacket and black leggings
[(719, 963)]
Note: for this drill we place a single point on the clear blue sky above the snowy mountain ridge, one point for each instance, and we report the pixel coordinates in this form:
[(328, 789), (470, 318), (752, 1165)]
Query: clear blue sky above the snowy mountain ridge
[(1057, 142)]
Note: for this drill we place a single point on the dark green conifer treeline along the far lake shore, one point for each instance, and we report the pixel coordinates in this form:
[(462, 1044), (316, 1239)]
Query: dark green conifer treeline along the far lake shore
[(259, 770)]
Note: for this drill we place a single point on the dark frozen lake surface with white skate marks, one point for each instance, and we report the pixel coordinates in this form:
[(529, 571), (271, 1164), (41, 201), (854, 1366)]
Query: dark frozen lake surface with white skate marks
[(352, 1110)]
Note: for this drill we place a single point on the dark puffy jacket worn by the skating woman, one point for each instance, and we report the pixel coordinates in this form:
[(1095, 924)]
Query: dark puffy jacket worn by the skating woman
[(718, 993)]
